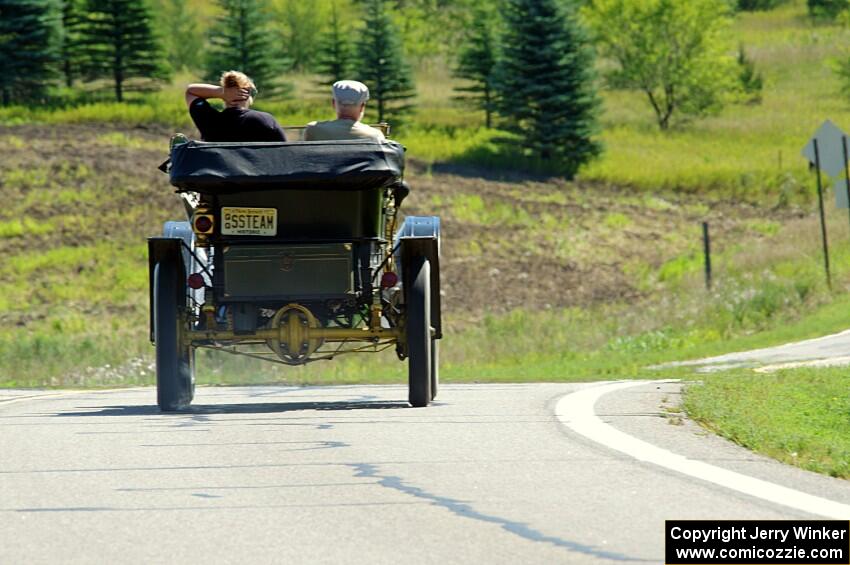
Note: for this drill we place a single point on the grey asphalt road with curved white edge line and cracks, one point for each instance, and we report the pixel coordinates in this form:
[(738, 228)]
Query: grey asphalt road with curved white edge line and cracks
[(490, 473)]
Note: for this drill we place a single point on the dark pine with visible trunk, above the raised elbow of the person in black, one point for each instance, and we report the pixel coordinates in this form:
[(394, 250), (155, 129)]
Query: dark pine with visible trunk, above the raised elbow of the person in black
[(118, 42)]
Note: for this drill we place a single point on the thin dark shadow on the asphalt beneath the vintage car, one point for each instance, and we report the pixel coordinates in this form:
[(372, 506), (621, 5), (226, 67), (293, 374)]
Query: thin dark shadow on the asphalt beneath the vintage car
[(246, 408)]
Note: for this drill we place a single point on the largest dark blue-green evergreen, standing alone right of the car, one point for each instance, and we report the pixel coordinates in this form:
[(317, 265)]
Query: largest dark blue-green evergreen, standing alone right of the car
[(546, 81)]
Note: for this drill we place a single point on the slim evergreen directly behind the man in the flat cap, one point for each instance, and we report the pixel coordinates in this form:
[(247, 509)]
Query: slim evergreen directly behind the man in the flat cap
[(382, 64)]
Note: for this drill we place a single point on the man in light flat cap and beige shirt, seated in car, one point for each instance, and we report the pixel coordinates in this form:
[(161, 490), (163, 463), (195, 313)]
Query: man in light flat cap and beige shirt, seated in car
[(349, 102)]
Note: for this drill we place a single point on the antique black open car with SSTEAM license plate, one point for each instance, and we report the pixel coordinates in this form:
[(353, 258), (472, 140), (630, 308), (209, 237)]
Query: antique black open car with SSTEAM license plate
[(292, 254)]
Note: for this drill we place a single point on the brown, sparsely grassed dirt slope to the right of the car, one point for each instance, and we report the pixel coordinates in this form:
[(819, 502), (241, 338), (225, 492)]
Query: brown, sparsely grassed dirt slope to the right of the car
[(565, 244)]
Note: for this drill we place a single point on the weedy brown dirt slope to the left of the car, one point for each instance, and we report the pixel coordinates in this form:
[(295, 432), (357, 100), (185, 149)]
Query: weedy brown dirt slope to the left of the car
[(86, 183)]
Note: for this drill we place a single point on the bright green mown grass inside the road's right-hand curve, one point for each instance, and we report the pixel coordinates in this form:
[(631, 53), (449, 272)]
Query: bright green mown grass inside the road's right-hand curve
[(800, 417)]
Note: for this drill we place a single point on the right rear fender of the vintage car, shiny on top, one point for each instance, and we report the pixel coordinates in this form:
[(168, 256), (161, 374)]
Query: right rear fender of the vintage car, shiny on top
[(420, 236)]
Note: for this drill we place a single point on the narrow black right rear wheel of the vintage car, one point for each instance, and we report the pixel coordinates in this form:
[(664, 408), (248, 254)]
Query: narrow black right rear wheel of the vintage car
[(419, 367)]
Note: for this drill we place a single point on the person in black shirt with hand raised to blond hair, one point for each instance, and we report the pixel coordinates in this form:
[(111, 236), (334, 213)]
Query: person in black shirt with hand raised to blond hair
[(237, 122)]
